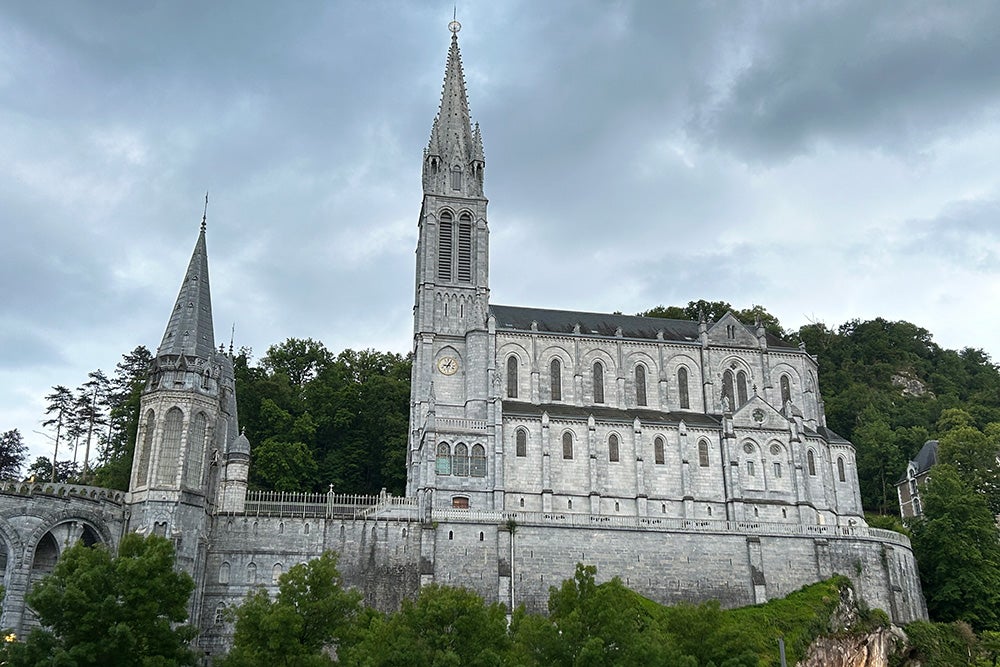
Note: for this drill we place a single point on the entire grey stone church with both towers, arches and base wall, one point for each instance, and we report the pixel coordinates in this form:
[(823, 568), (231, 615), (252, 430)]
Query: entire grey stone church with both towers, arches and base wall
[(689, 458)]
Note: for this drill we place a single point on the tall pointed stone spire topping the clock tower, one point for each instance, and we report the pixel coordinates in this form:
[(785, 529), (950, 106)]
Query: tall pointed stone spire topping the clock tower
[(454, 160)]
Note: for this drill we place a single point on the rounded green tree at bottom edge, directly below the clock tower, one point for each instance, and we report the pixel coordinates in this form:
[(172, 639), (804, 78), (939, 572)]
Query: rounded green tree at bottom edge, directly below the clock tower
[(443, 627)]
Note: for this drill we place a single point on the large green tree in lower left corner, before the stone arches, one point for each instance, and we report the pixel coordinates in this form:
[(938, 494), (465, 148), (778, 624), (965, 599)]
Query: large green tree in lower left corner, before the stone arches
[(104, 610)]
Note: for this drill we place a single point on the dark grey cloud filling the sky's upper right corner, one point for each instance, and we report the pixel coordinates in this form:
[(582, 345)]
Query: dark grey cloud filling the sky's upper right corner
[(892, 76)]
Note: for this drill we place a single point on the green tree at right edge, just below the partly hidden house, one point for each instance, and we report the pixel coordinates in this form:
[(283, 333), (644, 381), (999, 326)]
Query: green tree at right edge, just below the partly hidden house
[(958, 550)]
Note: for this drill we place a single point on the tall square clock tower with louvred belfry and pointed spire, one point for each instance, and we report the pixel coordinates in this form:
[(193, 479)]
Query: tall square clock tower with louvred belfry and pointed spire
[(450, 385)]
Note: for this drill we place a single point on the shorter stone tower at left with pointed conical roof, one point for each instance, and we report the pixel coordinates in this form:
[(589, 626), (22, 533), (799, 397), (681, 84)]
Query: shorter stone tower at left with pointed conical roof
[(187, 418)]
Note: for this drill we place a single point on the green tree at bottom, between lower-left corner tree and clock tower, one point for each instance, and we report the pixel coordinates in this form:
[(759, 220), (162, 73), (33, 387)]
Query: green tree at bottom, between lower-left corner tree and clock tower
[(311, 614)]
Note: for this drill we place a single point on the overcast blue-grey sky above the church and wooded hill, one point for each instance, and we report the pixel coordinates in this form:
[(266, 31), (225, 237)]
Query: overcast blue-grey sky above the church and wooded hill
[(828, 161)]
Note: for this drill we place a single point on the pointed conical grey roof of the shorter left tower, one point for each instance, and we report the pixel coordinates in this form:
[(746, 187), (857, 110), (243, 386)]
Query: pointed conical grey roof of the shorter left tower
[(190, 331)]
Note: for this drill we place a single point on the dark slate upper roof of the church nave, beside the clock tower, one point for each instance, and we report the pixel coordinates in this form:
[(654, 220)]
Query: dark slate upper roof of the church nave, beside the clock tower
[(519, 318)]
